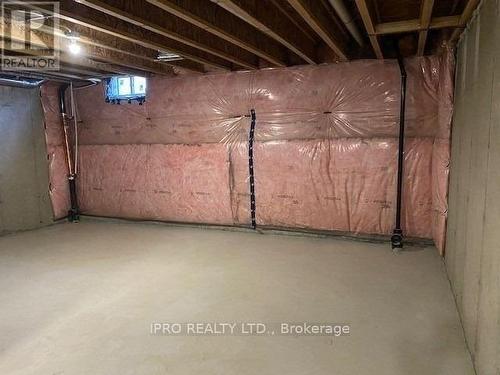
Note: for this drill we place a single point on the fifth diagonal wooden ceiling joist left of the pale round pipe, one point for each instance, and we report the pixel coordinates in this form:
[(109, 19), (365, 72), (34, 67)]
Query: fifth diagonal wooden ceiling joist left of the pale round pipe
[(82, 15)]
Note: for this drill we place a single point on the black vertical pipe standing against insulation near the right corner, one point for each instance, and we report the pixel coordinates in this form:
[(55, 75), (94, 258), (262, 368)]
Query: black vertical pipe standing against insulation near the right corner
[(397, 234)]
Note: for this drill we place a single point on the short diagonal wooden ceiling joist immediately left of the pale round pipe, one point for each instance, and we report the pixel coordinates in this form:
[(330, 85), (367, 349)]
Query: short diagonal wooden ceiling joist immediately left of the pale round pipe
[(317, 18)]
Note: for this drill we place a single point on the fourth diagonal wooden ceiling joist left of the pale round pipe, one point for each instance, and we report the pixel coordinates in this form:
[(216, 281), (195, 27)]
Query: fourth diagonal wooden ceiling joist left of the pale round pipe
[(149, 17)]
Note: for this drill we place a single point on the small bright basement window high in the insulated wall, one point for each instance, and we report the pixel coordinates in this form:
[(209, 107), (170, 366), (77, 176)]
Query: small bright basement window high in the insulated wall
[(126, 88)]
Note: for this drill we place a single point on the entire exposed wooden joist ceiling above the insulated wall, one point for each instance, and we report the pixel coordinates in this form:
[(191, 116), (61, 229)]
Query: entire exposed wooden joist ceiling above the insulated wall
[(170, 36)]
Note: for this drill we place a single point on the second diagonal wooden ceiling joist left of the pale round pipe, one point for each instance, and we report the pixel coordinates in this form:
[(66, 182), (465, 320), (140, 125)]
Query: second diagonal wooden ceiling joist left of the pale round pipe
[(269, 20)]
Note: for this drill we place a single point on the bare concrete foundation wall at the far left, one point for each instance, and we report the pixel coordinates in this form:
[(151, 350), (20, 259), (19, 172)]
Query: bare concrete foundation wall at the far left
[(24, 198)]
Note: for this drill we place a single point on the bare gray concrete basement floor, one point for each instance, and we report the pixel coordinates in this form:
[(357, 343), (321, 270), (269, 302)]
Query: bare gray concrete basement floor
[(80, 298)]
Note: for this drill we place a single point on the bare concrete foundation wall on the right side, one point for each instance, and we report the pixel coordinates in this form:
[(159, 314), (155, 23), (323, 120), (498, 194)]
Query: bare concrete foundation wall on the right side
[(473, 240)]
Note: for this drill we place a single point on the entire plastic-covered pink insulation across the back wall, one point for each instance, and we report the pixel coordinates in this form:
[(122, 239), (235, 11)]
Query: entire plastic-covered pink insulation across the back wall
[(325, 148)]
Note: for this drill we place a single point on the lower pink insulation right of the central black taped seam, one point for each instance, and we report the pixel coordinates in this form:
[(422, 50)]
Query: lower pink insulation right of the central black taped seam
[(344, 185)]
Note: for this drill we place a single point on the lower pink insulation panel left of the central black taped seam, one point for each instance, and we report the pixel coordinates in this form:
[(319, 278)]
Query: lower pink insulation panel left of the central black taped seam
[(186, 183)]
